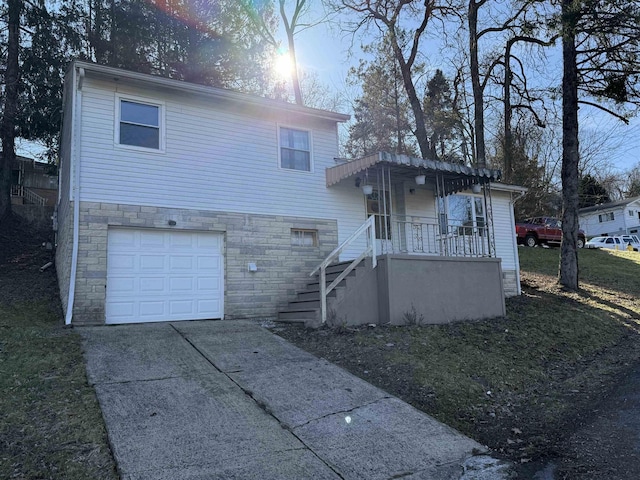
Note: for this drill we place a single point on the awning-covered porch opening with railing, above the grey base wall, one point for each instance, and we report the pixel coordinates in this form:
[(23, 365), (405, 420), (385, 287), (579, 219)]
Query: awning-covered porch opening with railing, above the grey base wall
[(424, 207)]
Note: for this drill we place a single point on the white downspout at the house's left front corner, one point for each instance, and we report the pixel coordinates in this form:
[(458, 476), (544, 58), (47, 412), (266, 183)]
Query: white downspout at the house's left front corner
[(76, 104)]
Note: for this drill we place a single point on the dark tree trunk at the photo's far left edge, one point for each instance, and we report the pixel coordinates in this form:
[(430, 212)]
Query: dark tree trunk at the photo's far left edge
[(8, 126)]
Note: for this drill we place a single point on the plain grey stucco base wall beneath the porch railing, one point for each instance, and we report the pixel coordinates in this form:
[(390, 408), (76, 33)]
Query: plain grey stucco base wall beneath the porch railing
[(438, 289)]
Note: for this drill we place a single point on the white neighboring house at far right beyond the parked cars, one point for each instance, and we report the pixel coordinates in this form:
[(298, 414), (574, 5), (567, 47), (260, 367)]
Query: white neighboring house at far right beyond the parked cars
[(614, 218)]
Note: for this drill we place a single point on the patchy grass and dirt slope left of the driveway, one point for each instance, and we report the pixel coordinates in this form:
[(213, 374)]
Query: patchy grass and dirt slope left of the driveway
[(50, 426)]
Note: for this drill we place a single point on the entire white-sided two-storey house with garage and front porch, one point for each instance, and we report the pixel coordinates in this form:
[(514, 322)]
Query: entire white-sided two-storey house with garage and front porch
[(180, 202)]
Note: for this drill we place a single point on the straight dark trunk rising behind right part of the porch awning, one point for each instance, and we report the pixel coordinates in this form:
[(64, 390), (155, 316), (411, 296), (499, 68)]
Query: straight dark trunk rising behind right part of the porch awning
[(478, 104)]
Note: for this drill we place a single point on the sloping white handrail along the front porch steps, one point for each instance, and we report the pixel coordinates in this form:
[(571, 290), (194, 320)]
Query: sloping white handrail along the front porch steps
[(367, 229)]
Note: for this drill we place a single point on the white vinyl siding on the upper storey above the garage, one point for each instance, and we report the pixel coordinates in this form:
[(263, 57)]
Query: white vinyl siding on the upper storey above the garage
[(217, 157)]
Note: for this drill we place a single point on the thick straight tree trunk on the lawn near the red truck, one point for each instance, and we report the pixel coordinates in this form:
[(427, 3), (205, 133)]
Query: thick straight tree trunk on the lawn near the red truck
[(568, 276)]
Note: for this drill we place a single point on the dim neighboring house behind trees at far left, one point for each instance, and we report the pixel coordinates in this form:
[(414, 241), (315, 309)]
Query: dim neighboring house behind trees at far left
[(33, 182)]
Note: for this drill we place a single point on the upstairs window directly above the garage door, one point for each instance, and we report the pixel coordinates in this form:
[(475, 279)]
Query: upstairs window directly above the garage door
[(139, 124)]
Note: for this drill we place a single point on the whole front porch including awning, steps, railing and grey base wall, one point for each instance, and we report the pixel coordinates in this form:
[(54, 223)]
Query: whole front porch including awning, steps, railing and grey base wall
[(426, 253)]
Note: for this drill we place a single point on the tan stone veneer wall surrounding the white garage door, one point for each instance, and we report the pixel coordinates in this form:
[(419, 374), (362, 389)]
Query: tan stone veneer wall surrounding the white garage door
[(262, 239)]
